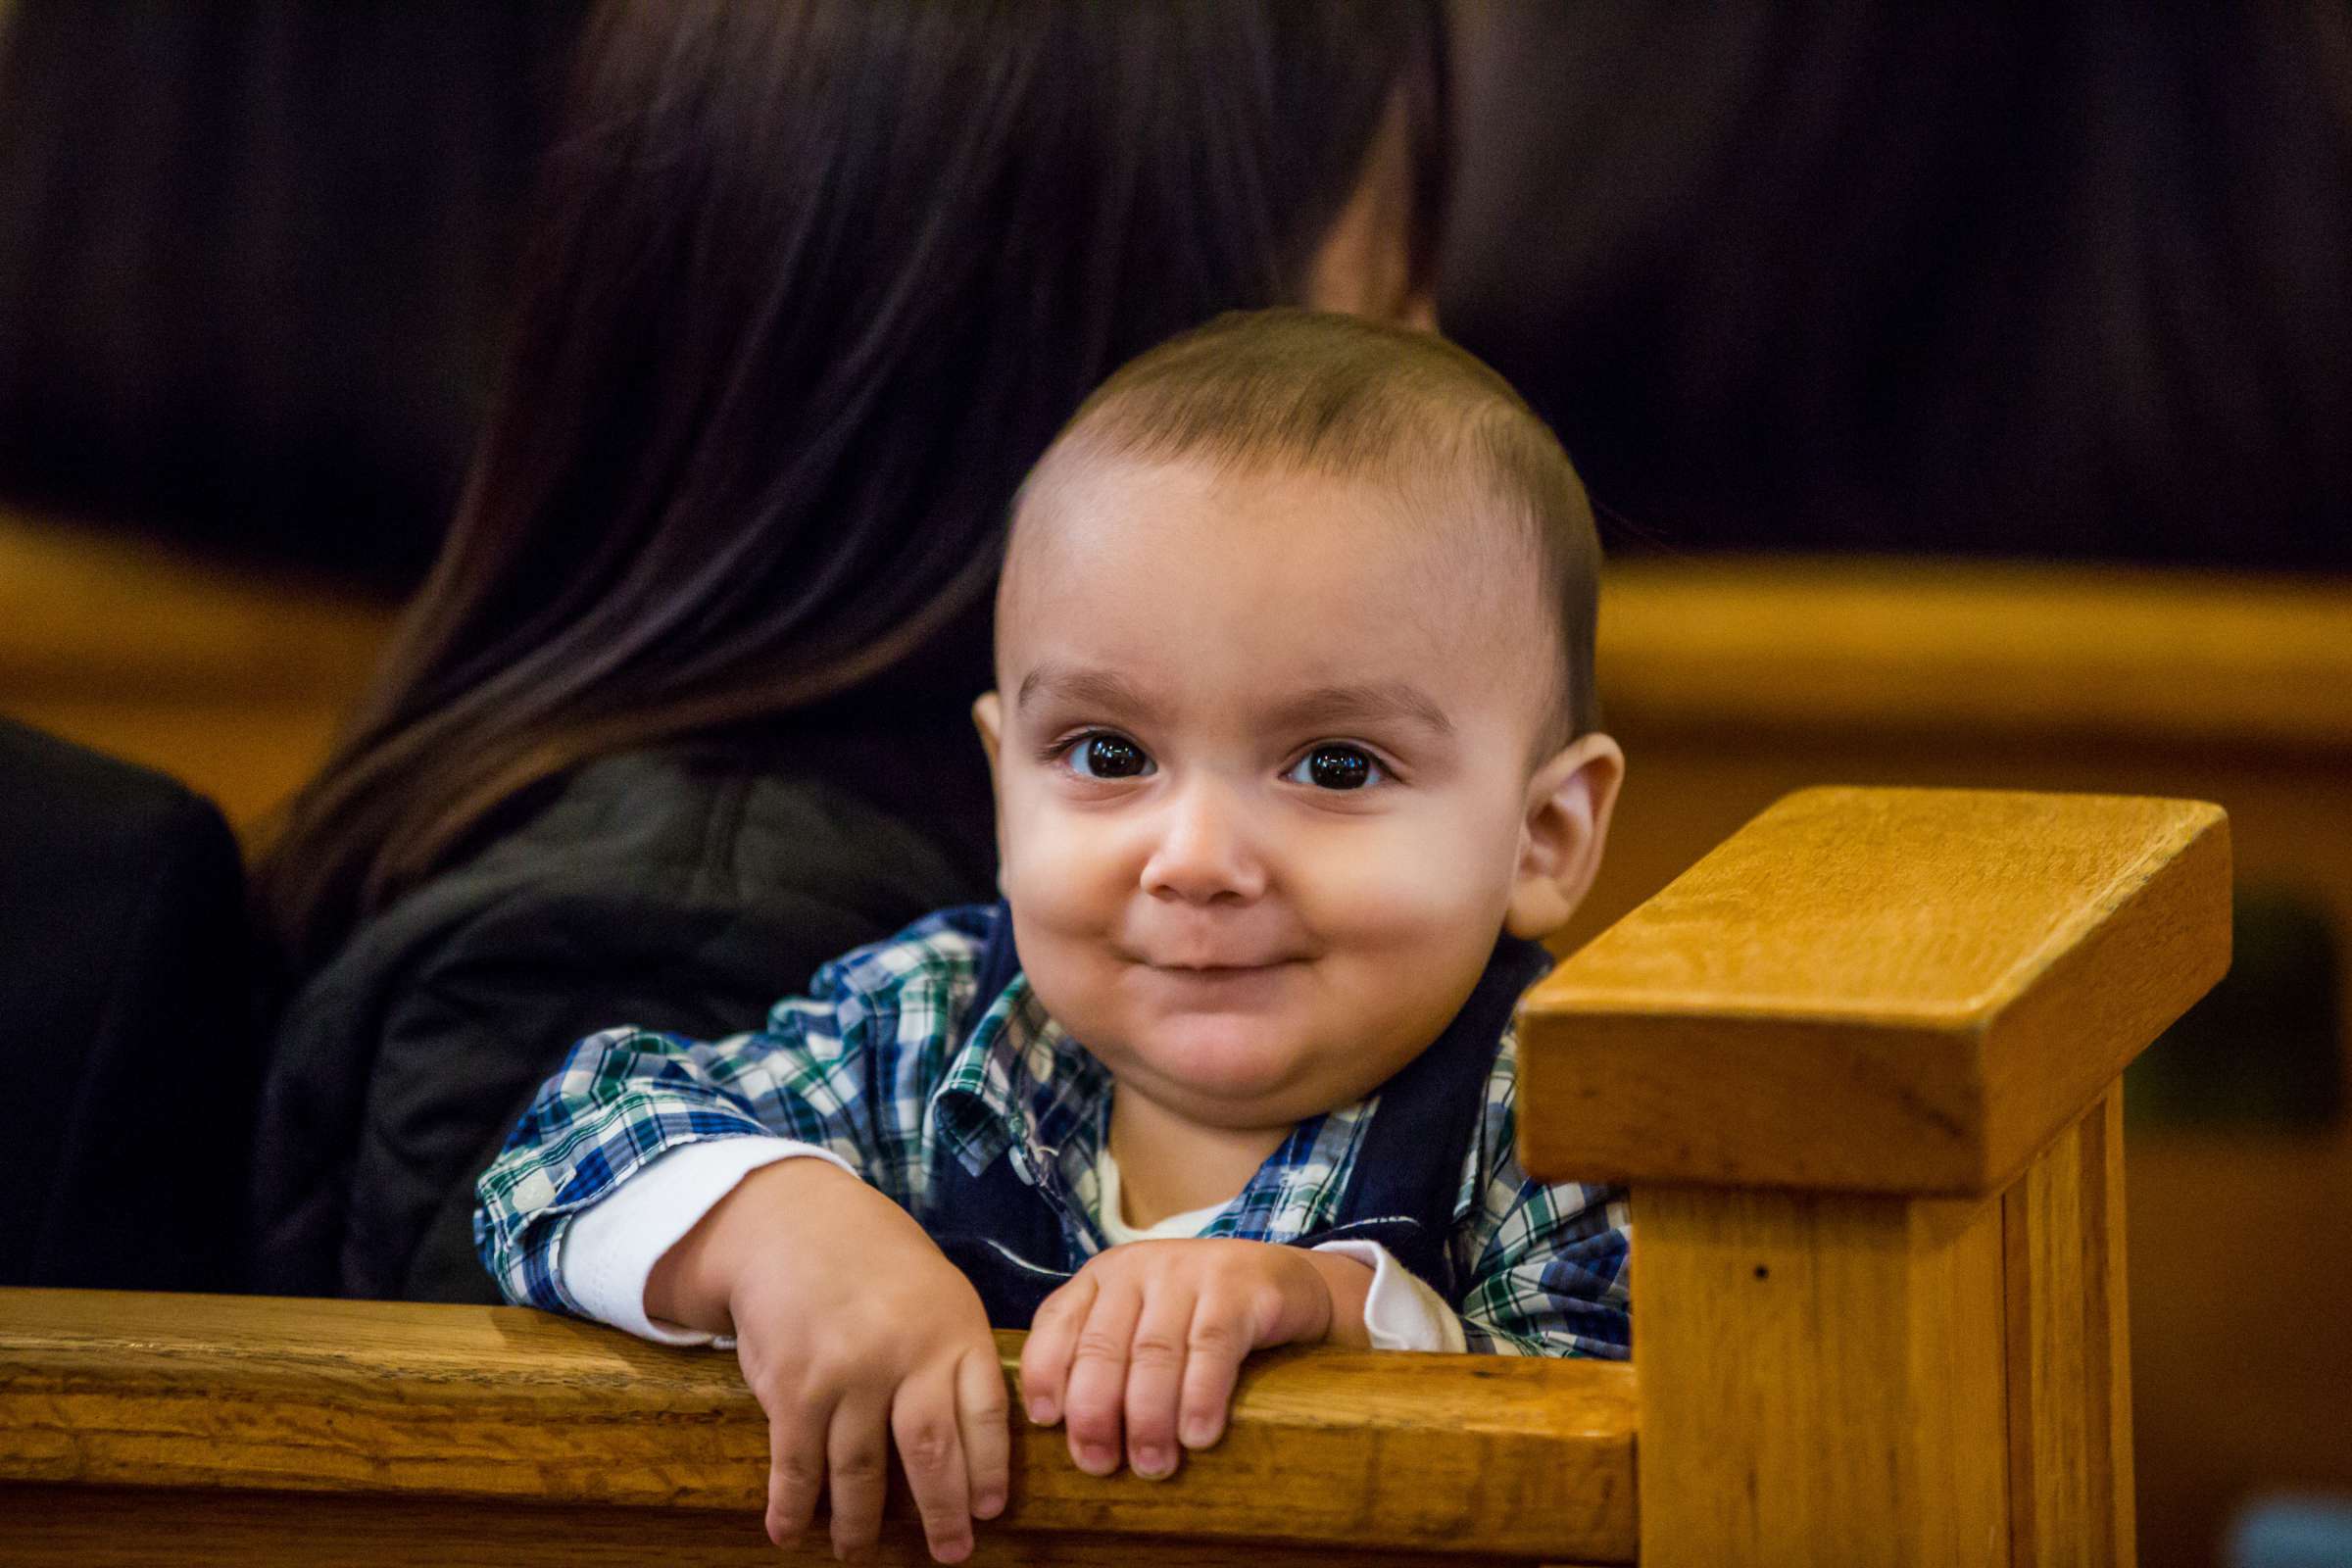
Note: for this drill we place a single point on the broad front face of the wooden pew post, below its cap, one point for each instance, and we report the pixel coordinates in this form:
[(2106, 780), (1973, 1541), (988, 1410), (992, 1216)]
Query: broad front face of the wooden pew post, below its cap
[(1822, 1379)]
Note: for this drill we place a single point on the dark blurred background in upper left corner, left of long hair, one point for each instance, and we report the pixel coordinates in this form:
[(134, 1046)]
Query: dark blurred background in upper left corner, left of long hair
[(255, 262)]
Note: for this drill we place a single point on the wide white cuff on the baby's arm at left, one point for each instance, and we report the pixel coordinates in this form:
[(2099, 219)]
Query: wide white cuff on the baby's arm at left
[(610, 1249)]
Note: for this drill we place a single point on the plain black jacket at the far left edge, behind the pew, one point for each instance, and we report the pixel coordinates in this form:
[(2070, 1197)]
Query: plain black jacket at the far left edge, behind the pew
[(128, 1031)]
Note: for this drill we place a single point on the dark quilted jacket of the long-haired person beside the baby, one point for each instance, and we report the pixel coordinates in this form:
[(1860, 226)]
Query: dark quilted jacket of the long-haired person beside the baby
[(667, 890)]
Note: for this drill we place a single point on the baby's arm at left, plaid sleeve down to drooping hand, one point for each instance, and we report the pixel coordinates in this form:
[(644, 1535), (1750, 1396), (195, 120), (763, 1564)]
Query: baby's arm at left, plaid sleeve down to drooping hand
[(853, 1327)]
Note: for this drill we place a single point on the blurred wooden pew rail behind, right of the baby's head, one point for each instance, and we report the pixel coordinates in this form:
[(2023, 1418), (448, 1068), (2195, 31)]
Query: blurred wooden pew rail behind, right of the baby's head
[(2078, 655)]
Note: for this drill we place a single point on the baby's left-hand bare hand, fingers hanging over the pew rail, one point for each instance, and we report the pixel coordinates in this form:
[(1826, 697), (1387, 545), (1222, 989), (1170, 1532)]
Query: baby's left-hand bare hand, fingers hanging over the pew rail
[(857, 1336)]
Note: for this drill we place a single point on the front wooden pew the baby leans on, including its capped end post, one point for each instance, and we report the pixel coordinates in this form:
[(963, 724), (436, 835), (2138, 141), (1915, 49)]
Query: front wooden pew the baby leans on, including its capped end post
[(1859, 1068)]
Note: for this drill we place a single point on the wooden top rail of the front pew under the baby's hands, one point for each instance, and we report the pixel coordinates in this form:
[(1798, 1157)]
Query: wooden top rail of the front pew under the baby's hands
[(1485, 1459)]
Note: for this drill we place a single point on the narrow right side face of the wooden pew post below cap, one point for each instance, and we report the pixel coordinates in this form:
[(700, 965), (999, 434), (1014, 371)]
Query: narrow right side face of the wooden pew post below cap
[(2069, 1351)]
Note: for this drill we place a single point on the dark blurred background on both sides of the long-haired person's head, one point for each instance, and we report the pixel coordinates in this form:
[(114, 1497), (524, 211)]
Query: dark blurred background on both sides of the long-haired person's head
[(2062, 281)]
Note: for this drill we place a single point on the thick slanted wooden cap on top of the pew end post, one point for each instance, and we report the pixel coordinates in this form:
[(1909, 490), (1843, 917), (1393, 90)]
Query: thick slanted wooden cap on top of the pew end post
[(1878, 991)]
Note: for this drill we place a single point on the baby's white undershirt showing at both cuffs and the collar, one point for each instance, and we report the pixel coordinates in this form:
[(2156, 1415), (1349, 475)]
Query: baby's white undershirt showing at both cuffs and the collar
[(610, 1249)]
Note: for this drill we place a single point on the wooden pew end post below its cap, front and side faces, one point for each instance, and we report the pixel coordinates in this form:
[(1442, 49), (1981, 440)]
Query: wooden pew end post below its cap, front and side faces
[(1871, 1379)]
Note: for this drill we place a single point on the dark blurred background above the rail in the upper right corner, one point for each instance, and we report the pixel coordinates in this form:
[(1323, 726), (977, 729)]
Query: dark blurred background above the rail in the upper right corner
[(2054, 281)]
